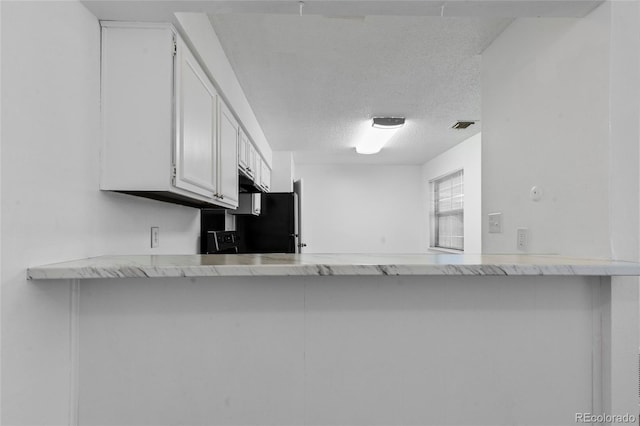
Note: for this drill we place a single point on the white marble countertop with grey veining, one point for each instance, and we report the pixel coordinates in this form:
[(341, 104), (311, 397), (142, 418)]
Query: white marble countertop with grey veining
[(152, 266)]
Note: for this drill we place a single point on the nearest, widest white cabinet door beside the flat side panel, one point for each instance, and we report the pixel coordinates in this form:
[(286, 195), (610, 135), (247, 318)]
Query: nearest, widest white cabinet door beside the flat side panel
[(197, 100)]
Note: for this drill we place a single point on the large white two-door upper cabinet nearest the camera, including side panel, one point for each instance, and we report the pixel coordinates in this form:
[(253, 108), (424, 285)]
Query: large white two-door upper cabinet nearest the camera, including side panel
[(166, 134)]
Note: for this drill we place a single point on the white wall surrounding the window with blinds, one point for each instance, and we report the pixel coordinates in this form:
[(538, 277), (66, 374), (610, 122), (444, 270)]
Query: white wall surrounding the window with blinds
[(467, 155)]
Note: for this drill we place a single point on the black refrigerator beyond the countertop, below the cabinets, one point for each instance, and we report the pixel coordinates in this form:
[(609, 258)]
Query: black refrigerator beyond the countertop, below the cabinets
[(275, 230)]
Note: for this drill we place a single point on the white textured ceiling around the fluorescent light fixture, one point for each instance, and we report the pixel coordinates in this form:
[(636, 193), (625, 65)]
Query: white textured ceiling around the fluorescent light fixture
[(314, 80)]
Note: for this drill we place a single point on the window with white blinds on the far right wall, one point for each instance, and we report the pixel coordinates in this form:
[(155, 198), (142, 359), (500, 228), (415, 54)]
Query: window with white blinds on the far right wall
[(447, 211)]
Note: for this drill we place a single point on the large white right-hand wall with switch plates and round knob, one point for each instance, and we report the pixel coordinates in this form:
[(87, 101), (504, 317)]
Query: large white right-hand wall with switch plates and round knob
[(560, 109)]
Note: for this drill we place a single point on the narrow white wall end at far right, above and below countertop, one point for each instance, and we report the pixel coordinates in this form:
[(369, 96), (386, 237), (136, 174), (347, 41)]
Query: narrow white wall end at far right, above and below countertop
[(624, 189)]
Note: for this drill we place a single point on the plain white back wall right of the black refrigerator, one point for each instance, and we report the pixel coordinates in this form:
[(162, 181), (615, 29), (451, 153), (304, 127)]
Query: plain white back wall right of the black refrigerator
[(361, 208)]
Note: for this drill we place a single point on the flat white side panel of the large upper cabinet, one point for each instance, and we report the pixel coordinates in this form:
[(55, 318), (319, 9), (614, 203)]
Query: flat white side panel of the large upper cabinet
[(137, 79)]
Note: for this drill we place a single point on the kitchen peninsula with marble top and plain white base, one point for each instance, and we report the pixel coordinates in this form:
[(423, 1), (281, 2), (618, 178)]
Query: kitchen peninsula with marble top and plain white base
[(350, 339)]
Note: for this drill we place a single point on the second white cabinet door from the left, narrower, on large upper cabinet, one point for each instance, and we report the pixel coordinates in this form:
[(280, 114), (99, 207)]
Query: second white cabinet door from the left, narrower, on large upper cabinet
[(228, 151)]
